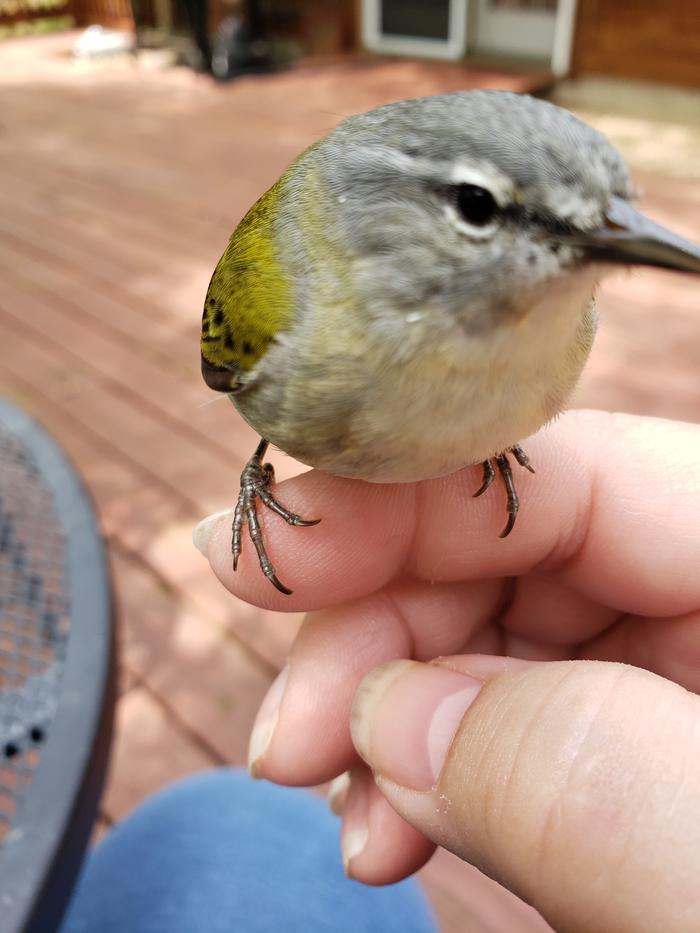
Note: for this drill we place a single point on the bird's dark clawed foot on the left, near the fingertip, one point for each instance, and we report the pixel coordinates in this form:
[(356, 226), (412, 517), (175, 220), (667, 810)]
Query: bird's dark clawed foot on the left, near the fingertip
[(256, 479)]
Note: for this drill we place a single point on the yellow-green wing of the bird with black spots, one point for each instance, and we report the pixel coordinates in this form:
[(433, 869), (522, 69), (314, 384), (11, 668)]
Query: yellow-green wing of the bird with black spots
[(249, 300)]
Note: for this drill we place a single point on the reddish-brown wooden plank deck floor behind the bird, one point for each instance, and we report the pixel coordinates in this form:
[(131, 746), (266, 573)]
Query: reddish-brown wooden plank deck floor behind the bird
[(120, 185)]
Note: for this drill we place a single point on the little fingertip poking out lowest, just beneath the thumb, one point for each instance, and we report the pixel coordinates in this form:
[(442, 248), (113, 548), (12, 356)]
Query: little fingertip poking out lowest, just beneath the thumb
[(378, 845)]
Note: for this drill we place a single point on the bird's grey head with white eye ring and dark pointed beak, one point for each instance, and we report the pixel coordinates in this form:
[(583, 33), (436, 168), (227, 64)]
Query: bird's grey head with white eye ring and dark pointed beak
[(474, 201)]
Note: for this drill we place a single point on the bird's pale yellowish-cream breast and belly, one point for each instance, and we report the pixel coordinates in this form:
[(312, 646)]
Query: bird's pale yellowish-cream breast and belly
[(422, 401)]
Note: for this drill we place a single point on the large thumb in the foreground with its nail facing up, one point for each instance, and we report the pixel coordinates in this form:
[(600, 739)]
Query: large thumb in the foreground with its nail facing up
[(575, 784)]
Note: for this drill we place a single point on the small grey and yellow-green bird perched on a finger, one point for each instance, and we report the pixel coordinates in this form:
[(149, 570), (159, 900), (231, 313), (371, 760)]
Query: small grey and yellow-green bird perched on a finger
[(416, 292)]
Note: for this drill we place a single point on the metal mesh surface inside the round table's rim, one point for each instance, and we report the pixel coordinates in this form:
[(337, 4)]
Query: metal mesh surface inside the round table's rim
[(34, 621)]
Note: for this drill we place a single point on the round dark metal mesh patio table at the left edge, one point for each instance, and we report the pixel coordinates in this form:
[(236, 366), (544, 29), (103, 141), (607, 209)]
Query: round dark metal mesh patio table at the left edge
[(56, 674)]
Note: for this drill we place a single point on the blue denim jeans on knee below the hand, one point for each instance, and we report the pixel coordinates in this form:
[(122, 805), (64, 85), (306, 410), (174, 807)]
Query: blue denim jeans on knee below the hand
[(220, 852)]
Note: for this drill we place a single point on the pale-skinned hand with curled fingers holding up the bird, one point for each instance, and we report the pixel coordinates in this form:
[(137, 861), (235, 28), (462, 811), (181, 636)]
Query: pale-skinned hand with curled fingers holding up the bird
[(575, 784)]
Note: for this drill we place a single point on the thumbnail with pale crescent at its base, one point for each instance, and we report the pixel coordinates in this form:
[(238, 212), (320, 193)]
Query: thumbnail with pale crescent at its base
[(405, 716)]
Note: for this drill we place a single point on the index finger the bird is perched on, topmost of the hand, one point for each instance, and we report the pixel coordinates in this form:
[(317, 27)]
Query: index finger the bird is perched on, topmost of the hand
[(613, 507)]
